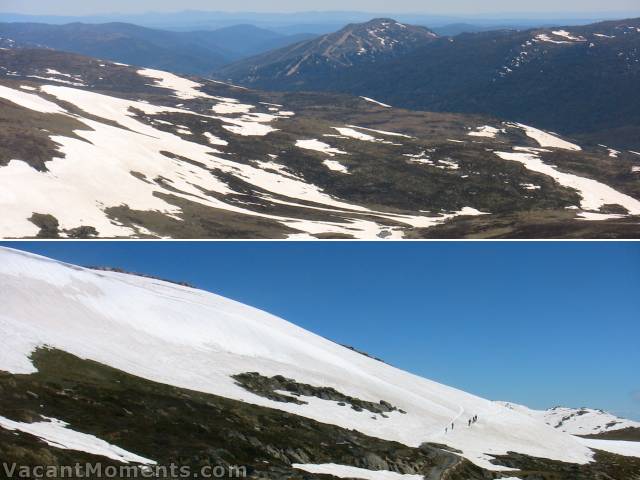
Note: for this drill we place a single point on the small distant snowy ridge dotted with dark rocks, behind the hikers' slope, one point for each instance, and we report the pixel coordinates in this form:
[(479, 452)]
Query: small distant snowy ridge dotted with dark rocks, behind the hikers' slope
[(577, 421)]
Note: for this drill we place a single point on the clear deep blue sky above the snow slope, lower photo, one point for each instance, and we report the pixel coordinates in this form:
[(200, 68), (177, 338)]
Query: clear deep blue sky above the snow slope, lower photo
[(540, 323)]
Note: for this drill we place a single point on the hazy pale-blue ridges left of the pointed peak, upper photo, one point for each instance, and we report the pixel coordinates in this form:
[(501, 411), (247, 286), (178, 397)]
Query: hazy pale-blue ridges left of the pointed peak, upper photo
[(198, 52)]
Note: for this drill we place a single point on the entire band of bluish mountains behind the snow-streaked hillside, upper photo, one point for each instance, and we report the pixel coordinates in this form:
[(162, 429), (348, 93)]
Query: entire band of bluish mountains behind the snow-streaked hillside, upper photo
[(580, 81)]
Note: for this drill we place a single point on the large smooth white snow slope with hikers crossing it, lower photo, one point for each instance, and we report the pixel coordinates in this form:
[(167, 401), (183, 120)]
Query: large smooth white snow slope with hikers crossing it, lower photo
[(197, 340)]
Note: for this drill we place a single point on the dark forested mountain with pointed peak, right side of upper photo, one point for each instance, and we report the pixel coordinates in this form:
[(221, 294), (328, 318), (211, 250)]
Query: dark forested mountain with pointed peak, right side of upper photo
[(580, 81)]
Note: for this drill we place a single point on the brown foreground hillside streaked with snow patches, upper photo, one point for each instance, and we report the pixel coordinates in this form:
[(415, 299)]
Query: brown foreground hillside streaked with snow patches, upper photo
[(98, 149)]
